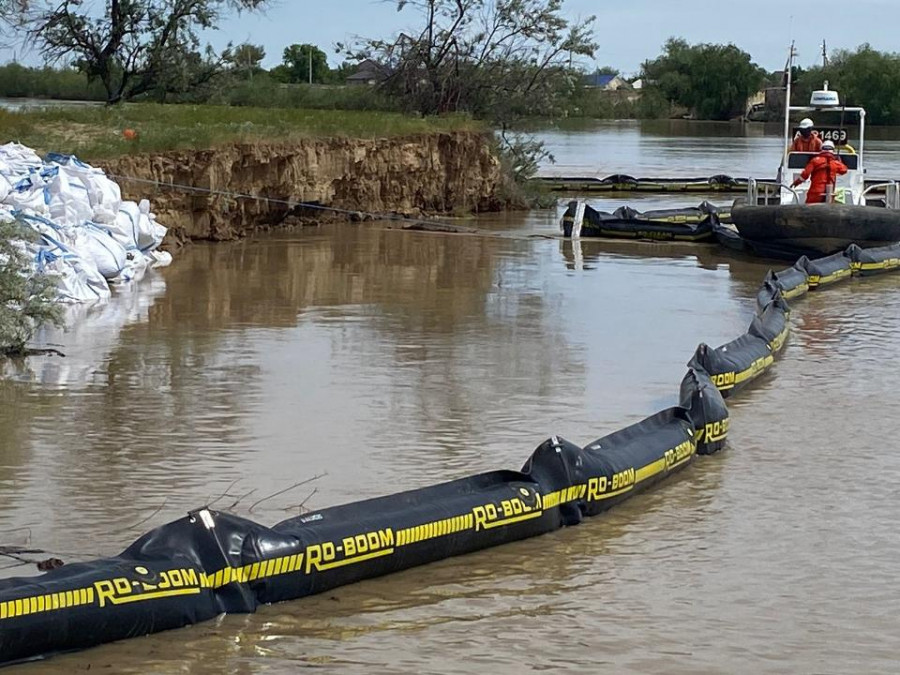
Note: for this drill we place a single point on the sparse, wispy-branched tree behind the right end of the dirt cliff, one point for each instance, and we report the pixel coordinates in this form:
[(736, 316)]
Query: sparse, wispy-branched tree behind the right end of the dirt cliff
[(496, 59)]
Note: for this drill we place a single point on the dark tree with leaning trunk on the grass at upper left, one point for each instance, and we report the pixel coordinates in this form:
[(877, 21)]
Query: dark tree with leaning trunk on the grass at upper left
[(134, 43)]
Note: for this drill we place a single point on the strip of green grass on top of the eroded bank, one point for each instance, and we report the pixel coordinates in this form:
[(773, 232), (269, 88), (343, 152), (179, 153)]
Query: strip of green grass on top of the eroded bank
[(95, 132)]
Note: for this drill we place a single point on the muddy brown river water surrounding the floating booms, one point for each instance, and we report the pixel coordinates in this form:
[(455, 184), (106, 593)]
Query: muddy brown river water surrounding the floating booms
[(384, 360)]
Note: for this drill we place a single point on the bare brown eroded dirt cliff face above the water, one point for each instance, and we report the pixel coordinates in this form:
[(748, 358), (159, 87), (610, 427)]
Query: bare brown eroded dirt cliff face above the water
[(433, 173)]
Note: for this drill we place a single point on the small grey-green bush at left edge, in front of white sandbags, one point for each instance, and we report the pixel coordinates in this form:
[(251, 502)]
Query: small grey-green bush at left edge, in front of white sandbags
[(26, 299)]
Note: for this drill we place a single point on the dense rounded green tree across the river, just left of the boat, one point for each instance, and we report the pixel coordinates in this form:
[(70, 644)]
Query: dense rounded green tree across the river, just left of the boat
[(713, 81)]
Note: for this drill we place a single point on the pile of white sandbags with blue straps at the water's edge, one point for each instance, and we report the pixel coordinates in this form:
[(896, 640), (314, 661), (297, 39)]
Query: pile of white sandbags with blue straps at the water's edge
[(87, 236)]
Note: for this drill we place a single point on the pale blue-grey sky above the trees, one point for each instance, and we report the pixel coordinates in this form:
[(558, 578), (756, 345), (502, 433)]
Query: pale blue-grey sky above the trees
[(628, 31)]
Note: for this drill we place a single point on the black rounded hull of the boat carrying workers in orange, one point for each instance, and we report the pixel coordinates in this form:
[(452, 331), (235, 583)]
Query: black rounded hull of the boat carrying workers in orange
[(814, 230)]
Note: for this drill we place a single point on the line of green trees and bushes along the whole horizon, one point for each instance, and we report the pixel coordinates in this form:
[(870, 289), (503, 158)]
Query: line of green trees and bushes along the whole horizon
[(498, 60)]
